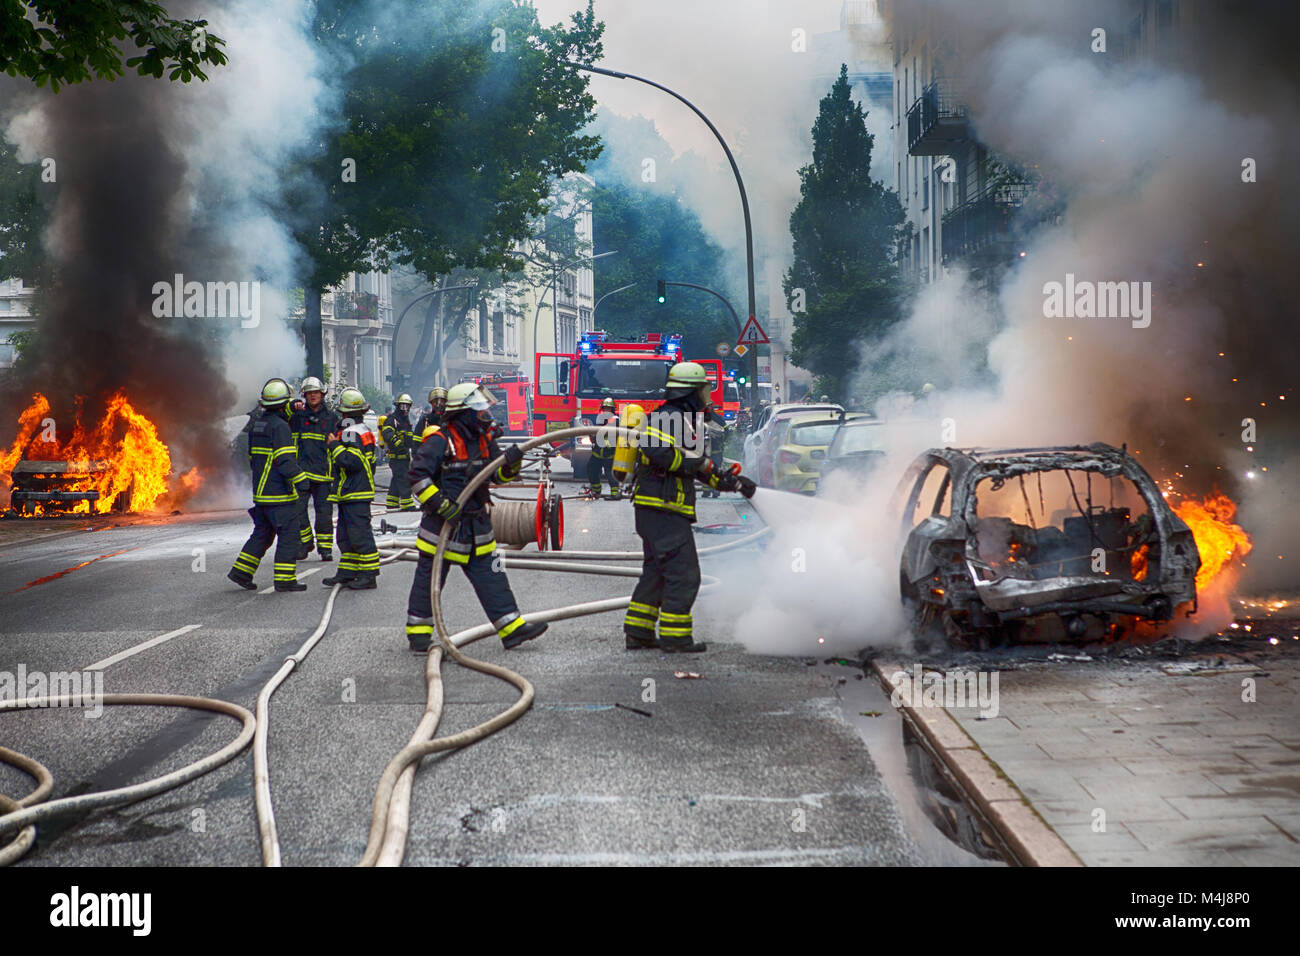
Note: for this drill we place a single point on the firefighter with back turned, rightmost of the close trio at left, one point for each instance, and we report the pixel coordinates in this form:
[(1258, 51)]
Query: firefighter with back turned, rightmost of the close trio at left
[(352, 452)]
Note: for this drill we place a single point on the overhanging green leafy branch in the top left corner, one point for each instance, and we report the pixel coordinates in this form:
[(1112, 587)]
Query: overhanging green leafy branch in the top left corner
[(59, 42)]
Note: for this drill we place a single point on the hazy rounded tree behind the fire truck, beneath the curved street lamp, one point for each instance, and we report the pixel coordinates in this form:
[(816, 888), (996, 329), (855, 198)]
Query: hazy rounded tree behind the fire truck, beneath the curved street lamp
[(658, 237)]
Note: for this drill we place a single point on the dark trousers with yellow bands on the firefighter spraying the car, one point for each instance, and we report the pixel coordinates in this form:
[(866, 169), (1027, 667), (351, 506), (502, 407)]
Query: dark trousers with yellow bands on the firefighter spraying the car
[(670, 578)]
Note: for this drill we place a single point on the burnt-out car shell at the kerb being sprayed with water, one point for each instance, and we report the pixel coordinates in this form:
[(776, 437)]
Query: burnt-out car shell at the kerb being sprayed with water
[(1039, 546)]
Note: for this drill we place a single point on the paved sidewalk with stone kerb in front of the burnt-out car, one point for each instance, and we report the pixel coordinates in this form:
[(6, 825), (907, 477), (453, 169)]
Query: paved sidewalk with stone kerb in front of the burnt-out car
[(1143, 762)]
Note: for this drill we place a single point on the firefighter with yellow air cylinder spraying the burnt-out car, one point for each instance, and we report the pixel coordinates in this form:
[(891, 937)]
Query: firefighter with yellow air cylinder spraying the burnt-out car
[(669, 465)]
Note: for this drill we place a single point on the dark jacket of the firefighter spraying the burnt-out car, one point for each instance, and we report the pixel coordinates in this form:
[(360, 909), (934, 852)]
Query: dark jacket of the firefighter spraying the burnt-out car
[(670, 455)]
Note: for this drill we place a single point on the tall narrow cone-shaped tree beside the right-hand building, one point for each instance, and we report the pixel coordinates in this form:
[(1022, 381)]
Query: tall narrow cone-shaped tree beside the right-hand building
[(847, 232)]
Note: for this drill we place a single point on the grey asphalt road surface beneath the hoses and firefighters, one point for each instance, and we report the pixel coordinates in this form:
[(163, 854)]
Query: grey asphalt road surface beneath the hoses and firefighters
[(755, 764)]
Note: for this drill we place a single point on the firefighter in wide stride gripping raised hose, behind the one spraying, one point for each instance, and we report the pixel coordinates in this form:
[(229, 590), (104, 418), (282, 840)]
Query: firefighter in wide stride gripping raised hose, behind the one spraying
[(445, 462)]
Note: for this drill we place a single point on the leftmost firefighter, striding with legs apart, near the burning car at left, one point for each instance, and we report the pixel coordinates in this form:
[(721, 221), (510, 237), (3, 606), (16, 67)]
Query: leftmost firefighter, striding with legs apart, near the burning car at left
[(278, 483)]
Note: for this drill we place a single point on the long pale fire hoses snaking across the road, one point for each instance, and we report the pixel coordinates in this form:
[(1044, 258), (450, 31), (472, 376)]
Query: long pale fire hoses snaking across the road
[(391, 812)]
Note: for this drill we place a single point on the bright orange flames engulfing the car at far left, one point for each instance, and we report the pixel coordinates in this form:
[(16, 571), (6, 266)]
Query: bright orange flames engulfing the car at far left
[(125, 442)]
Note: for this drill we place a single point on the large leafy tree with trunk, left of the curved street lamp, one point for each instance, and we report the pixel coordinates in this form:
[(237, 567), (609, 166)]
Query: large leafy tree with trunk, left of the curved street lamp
[(456, 120)]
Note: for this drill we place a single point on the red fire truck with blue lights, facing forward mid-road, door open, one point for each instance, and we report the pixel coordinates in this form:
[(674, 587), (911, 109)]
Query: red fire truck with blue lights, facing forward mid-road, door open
[(573, 386)]
